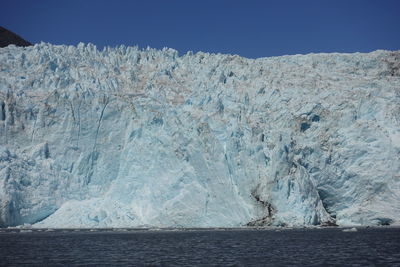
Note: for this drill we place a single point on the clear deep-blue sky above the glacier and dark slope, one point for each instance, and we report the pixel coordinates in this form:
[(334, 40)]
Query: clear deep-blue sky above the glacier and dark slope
[(249, 28)]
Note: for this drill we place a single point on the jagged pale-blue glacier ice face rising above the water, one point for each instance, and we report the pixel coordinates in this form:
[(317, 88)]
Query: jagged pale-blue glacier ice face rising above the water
[(126, 138)]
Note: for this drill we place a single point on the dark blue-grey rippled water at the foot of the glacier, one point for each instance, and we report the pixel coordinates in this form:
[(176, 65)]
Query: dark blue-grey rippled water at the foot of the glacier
[(300, 247)]
